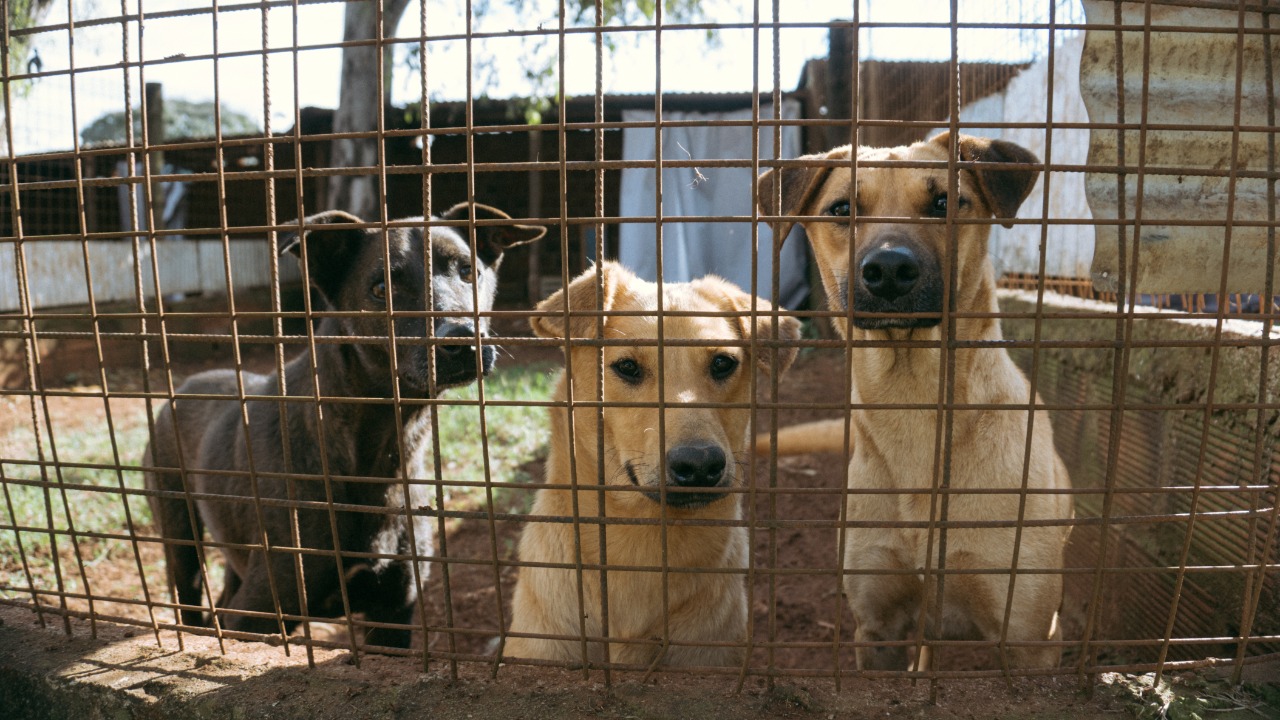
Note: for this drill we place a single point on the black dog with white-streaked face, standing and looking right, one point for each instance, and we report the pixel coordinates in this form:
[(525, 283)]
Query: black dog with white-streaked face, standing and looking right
[(209, 438)]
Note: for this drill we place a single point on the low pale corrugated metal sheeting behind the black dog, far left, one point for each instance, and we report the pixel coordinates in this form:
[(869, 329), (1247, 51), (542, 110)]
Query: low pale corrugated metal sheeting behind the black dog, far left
[(56, 271)]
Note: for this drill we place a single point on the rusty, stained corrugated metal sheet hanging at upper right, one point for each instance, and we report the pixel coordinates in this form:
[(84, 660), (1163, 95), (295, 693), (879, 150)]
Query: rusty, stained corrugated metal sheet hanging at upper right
[(1191, 81)]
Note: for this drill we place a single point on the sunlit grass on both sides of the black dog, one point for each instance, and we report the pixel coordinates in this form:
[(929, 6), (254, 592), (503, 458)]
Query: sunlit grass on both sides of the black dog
[(516, 436)]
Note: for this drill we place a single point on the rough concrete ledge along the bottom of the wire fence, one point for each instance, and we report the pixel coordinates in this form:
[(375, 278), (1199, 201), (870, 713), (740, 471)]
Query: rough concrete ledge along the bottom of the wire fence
[(125, 676)]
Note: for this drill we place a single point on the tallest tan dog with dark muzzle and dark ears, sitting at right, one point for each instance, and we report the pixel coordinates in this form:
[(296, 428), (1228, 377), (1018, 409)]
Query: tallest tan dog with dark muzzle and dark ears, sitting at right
[(899, 266)]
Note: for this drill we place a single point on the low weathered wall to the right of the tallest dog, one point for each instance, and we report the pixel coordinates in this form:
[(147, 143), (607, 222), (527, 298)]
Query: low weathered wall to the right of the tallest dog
[(1173, 405)]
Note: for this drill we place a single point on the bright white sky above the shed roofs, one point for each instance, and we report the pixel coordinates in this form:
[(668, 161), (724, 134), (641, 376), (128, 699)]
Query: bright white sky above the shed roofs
[(500, 66)]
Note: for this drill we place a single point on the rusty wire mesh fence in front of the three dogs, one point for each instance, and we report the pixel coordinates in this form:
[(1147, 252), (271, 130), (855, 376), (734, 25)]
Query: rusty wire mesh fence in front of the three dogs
[(1064, 471)]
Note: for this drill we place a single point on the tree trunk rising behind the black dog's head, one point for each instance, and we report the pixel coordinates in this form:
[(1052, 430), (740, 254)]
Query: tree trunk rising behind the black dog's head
[(359, 102)]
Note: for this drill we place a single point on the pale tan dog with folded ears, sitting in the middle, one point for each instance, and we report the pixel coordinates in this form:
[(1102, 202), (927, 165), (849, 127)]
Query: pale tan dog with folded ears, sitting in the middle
[(668, 490)]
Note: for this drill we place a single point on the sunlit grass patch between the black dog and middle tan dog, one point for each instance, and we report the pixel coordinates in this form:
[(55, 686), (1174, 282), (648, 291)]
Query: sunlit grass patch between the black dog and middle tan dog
[(516, 435)]
